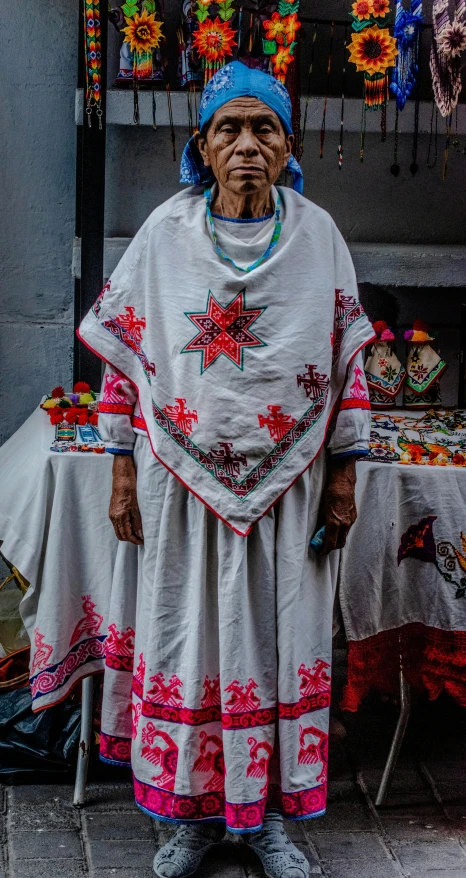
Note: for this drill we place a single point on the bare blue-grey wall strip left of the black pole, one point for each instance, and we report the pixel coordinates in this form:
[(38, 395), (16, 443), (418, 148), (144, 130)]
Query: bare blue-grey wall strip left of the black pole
[(38, 201)]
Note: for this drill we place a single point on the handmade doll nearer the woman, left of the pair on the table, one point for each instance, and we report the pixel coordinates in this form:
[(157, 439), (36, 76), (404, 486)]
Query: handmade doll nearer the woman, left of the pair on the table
[(384, 373)]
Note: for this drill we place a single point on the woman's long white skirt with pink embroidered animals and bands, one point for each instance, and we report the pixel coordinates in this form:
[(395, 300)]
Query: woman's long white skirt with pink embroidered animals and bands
[(217, 681)]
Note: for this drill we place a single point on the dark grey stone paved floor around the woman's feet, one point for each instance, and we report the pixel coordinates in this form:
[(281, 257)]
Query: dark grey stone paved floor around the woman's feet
[(421, 833)]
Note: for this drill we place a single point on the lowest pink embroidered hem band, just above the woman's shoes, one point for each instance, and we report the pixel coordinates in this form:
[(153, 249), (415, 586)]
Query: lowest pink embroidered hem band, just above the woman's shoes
[(241, 817)]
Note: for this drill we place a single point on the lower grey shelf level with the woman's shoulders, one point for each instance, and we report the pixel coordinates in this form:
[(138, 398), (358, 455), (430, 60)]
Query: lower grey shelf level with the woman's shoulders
[(388, 265)]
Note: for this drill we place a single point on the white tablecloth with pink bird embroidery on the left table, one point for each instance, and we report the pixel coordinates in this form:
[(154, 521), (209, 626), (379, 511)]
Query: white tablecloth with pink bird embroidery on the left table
[(55, 529)]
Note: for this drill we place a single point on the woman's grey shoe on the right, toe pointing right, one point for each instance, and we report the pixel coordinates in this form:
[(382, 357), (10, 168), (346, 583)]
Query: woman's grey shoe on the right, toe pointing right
[(280, 858)]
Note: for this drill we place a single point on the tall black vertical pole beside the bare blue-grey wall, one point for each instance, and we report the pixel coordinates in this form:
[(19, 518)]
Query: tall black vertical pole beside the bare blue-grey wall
[(91, 206)]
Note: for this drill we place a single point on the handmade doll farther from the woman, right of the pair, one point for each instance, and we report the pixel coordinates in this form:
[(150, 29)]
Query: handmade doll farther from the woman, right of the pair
[(424, 368)]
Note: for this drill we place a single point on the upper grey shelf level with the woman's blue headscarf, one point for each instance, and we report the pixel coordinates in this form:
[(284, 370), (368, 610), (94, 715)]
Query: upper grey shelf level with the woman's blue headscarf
[(120, 112)]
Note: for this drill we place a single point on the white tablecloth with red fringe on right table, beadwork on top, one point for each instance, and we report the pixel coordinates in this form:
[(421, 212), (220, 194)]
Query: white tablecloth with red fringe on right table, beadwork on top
[(403, 570)]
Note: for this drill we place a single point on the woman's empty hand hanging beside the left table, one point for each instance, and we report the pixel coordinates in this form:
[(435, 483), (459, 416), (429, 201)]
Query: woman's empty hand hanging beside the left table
[(124, 510)]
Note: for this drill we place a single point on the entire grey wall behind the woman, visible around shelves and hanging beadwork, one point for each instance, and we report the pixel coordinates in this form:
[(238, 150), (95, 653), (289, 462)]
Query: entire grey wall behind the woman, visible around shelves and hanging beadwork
[(38, 186)]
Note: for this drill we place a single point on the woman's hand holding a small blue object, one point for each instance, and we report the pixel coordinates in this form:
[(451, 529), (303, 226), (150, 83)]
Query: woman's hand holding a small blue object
[(339, 502)]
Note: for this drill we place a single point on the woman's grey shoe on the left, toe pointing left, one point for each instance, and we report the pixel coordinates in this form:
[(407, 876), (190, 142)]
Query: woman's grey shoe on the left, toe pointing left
[(183, 854)]
